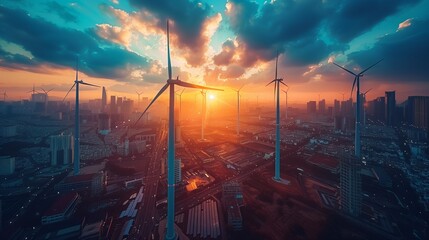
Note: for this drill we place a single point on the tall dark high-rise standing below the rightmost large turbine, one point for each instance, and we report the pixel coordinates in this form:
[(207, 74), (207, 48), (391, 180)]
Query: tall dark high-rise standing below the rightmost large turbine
[(350, 185)]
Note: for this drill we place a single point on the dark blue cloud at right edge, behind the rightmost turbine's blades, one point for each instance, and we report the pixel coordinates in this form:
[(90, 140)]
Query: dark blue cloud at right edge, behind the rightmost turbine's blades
[(404, 54)]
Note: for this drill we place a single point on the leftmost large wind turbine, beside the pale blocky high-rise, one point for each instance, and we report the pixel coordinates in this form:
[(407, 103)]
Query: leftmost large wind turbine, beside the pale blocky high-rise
[(76, 159)]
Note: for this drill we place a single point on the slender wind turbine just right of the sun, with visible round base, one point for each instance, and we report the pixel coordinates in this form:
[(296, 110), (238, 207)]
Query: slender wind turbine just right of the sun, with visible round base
[(277, 82)]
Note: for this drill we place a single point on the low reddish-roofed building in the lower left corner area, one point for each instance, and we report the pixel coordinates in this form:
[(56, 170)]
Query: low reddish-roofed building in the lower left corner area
[(62, 209)]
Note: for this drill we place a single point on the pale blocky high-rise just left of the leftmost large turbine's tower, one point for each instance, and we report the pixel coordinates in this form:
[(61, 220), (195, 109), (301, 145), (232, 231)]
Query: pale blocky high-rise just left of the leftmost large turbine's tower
[(61, 149)]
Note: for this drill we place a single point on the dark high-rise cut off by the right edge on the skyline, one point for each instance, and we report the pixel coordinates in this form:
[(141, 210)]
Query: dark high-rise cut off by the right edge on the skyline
[(417, 111)]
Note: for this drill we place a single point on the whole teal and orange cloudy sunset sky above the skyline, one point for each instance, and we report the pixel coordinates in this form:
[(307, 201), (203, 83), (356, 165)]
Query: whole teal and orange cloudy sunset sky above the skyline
[(121, 44)]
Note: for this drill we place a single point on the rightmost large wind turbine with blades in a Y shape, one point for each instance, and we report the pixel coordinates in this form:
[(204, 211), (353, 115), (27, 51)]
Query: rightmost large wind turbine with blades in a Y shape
[(358, 100)]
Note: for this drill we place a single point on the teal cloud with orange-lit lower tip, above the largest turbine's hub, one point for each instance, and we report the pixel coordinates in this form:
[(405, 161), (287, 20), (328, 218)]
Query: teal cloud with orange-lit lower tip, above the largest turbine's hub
[(188, 17)]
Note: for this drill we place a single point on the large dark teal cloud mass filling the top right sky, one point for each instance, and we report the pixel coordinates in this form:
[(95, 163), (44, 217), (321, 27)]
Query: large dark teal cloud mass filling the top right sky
[(295, 28)]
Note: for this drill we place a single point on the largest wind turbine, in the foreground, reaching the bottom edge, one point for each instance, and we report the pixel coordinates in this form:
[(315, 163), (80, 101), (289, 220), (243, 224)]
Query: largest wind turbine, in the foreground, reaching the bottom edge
[(171, 147)]
